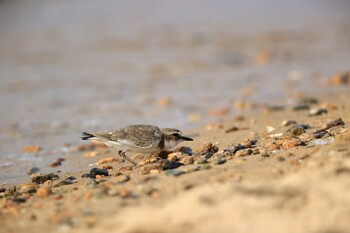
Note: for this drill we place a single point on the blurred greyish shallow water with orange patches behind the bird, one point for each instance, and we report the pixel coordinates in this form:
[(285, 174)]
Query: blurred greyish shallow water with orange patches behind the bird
[(70, 66)]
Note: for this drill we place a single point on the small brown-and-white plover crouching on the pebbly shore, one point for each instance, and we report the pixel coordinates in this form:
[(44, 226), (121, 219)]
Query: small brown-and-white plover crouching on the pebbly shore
[(139, 139)]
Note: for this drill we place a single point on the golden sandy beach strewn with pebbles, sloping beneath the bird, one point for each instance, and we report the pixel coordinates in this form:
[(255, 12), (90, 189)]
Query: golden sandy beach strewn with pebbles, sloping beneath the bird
[(298, 188)]
